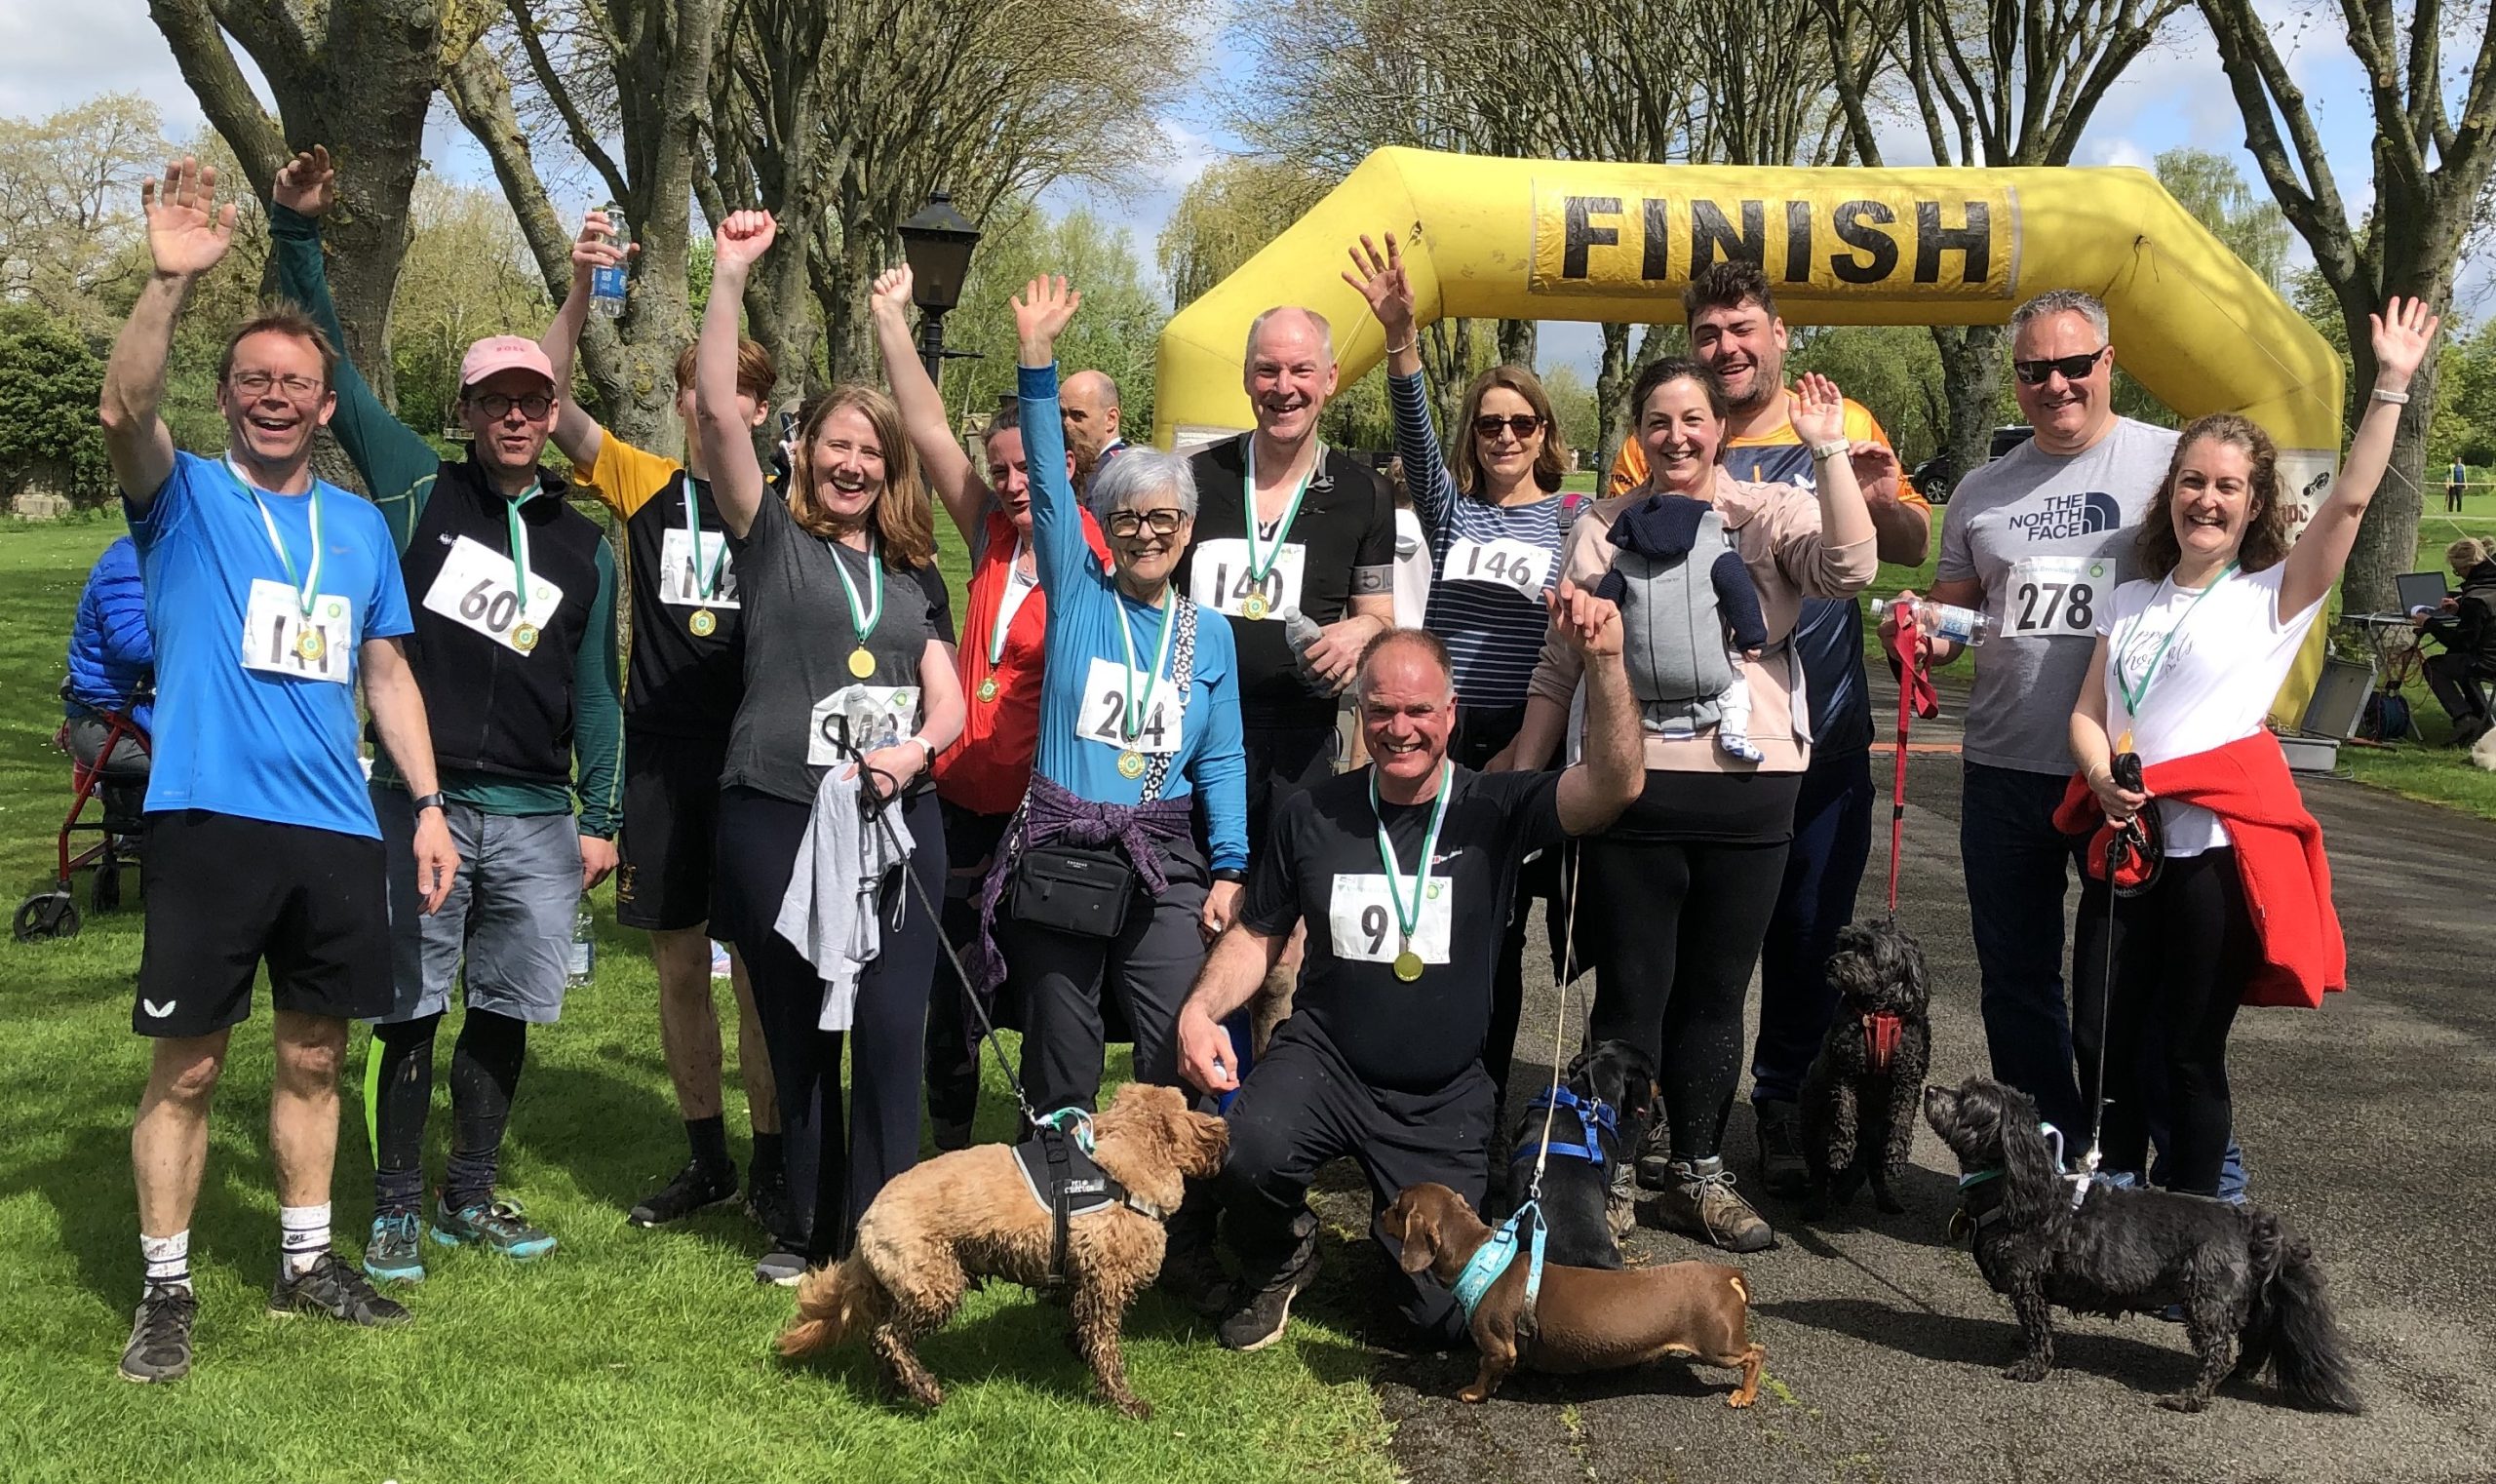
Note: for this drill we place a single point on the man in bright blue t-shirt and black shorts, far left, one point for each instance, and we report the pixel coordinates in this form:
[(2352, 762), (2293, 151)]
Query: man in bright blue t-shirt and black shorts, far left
[(266, 595)]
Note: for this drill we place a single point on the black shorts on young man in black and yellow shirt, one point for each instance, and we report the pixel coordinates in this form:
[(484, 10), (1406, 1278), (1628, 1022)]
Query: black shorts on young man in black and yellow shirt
[(670, 829)]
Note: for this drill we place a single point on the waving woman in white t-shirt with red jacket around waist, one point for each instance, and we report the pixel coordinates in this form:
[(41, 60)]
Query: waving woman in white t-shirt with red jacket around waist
[(2188, 665)]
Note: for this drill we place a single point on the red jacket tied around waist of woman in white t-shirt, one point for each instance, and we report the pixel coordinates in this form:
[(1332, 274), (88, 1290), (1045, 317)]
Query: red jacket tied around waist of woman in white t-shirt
[(2280, 857)]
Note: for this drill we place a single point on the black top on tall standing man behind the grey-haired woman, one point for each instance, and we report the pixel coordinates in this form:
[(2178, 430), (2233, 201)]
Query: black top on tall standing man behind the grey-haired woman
[(1347, 537)]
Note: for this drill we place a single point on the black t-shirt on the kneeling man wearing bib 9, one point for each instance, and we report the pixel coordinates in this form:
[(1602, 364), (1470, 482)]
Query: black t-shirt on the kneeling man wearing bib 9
[(1406, 1036)]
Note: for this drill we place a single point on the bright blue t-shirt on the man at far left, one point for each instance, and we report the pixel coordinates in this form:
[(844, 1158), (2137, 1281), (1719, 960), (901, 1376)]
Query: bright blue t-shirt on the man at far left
[(246, 722)]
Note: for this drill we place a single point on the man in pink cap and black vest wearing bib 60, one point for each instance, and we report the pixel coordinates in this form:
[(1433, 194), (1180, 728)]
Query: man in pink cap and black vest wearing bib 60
[(515, 652)]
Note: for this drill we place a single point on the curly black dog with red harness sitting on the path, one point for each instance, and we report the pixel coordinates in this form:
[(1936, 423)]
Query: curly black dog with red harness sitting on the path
[(1858, 1101)]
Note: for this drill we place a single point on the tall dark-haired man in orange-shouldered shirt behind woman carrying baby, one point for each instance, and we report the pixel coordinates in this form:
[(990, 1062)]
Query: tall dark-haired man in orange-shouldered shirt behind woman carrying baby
[(1736, 333)]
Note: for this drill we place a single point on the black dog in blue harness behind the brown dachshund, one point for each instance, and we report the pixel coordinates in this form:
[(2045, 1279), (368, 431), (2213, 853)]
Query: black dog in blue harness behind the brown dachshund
[(1604, 1109)]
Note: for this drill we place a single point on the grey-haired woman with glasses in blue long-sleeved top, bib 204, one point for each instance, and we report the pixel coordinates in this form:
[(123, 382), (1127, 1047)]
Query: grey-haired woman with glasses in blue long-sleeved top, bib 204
[(1139, 727)]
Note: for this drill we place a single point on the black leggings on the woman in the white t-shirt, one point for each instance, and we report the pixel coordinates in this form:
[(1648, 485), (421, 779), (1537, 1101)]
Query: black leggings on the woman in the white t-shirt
[(2183, 956)]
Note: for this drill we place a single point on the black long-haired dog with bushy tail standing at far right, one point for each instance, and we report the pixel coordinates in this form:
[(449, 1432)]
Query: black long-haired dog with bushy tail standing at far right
[(2238, 1273)]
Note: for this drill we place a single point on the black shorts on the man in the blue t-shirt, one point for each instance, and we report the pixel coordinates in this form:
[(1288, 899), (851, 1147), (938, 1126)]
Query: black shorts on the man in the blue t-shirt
[(228, 894)]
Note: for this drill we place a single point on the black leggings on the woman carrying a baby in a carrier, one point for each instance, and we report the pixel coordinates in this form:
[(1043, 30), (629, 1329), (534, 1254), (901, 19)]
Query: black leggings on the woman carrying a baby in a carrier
[(1681, 929)]
